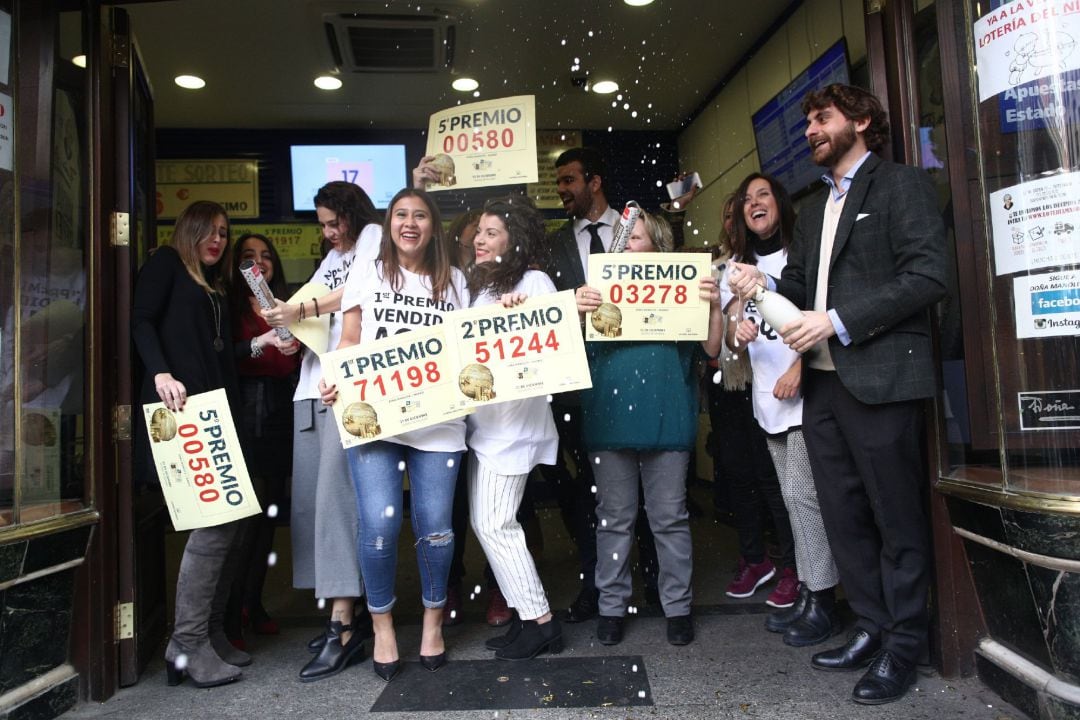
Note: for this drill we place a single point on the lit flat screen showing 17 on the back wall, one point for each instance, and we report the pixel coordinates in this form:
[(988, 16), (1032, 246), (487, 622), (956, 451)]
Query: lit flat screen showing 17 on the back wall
[(379, 169)]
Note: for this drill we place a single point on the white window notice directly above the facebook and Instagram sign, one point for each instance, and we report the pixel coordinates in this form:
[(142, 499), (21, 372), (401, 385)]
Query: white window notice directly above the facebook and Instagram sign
[(1037, 224)]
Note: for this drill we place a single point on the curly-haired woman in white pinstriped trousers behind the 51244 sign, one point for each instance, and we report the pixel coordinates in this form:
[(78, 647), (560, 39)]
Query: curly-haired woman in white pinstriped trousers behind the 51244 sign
[(508, 440)]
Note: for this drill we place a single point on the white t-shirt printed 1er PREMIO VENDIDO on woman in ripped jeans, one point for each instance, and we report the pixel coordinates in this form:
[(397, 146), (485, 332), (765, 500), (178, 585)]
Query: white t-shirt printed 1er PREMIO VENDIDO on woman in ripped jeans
[(386, 311)]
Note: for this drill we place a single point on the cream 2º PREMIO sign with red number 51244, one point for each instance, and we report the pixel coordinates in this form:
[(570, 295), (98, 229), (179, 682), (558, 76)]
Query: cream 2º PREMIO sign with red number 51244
[(531, 350)]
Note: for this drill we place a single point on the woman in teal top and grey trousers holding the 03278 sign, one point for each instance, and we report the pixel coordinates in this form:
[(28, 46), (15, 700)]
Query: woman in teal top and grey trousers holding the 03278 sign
[(641, 423)]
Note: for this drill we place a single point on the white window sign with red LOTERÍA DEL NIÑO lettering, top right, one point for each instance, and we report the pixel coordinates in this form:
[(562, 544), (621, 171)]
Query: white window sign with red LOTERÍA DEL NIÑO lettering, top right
[(1025, 40)]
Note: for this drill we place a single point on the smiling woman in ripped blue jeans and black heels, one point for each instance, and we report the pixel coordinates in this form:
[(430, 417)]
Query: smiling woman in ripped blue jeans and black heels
[(412, 284)]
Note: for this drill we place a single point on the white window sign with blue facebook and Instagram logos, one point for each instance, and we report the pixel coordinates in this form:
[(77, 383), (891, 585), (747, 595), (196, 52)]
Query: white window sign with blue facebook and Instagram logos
[(1047, 306)]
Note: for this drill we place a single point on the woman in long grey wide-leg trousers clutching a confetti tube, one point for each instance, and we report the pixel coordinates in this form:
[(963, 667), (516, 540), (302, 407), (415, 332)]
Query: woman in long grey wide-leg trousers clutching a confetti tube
[(323, 528)]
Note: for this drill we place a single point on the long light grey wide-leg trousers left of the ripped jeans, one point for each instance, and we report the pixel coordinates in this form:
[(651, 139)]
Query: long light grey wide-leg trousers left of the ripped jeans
[(323, 524)]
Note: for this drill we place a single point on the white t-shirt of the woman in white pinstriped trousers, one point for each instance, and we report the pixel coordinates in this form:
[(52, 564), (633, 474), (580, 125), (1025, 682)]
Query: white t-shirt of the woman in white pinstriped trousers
[(516, 437)]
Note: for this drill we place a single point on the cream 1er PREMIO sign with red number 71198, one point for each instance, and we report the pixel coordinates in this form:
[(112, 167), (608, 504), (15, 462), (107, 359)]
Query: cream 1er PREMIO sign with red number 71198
[(393, 386)]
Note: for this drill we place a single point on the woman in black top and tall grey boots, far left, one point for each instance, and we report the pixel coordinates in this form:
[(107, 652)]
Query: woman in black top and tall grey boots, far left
[(182, 333)]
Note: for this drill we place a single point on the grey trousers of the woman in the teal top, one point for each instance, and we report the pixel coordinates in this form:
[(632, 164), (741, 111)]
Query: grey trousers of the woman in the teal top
[(663, 476)]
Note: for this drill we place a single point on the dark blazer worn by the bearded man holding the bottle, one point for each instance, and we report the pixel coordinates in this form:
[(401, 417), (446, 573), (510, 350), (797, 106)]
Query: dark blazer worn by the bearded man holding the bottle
[(887, 269)]
